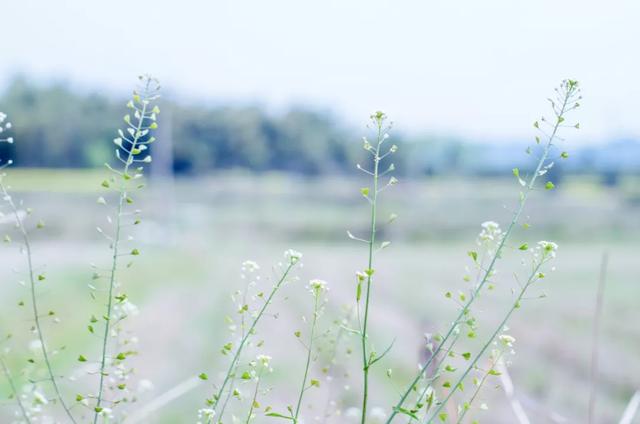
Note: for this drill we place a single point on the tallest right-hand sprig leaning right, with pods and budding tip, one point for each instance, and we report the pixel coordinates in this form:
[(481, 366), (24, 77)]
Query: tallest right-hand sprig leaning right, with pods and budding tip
[(567, 99)]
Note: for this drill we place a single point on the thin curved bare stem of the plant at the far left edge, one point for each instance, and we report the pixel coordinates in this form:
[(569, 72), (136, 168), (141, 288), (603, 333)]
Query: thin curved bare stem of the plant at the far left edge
[(34, 300)]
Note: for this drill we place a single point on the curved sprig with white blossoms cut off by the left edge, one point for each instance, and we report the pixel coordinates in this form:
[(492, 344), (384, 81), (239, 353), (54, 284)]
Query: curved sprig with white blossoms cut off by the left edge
[(33, 277)]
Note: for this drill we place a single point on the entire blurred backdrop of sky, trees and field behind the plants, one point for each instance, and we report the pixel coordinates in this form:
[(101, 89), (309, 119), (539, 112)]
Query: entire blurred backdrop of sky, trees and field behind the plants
[(264, 107)]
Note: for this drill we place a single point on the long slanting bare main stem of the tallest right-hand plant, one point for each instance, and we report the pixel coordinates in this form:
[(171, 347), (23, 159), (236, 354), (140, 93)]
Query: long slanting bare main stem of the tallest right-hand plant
[(489, 272)]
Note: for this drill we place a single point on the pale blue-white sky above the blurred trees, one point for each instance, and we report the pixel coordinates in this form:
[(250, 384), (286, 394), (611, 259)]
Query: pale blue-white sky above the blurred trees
[(477, 69)]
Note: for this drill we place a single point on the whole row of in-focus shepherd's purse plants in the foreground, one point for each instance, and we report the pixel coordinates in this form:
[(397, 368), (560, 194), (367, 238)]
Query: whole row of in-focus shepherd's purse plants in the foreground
[(446, 386)]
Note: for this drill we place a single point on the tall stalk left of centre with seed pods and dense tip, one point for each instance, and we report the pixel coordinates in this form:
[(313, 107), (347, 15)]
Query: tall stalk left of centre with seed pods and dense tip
[(131, 151)]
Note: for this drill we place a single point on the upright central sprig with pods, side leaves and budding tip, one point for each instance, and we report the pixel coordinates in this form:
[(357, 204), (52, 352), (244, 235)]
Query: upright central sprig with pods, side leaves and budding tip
[(365, 278)]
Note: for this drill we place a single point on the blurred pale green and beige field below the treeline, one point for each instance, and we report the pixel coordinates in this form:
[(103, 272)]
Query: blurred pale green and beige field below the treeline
[(196, 232)]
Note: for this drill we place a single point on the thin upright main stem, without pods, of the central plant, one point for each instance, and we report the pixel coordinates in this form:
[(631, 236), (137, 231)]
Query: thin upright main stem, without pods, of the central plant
[(372, 240)]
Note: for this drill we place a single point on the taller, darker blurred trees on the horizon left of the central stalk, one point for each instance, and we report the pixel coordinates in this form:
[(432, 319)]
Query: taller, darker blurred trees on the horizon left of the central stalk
[(58, 127)]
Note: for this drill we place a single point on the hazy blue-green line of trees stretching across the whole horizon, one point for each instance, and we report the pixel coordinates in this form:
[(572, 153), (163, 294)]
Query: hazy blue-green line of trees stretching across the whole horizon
[(60, 127)]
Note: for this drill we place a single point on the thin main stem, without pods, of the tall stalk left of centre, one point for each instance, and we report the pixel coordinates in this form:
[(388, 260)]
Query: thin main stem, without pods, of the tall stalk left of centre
[(114, 259)]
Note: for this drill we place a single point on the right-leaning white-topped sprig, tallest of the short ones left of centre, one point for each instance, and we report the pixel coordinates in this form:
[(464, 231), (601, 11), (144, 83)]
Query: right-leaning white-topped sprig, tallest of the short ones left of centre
[(292, 258)]
